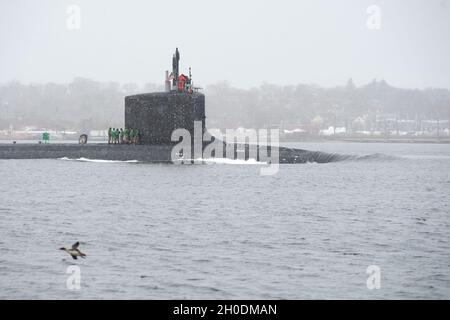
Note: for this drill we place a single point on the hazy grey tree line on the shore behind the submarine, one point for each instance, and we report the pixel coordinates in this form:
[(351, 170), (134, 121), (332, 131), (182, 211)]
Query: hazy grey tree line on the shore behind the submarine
[(86, 104)]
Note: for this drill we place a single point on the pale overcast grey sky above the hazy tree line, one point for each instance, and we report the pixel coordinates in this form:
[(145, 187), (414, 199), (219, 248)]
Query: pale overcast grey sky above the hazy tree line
[(245, 42)]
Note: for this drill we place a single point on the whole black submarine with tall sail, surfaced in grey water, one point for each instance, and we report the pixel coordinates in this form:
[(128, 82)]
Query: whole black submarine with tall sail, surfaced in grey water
[(157, 116)]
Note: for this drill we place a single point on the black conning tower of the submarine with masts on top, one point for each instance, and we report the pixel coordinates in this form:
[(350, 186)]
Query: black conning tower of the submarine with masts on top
[(157, 115)]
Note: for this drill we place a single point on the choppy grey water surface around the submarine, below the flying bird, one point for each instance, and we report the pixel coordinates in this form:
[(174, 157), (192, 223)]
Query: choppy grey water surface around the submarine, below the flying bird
[(153, 231)]
